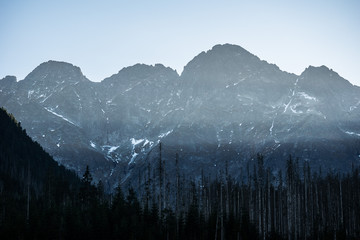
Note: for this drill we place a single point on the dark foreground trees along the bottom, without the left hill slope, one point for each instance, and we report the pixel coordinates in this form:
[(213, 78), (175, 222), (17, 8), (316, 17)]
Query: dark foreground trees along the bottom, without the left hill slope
[(307, 207)]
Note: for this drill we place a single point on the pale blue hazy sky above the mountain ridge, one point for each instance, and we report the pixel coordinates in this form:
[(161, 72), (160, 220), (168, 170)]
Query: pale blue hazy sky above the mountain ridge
[(102, 37)]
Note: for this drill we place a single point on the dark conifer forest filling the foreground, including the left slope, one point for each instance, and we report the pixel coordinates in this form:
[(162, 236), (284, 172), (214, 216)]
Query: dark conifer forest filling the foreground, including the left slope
[(41, 200)]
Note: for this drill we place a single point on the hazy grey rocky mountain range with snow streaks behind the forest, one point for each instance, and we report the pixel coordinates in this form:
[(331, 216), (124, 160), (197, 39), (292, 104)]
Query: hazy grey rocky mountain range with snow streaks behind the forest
[(226, 106)]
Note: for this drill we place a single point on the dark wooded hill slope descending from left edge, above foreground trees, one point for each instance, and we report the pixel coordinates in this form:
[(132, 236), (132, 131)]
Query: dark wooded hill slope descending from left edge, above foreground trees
[(20, 156)]
